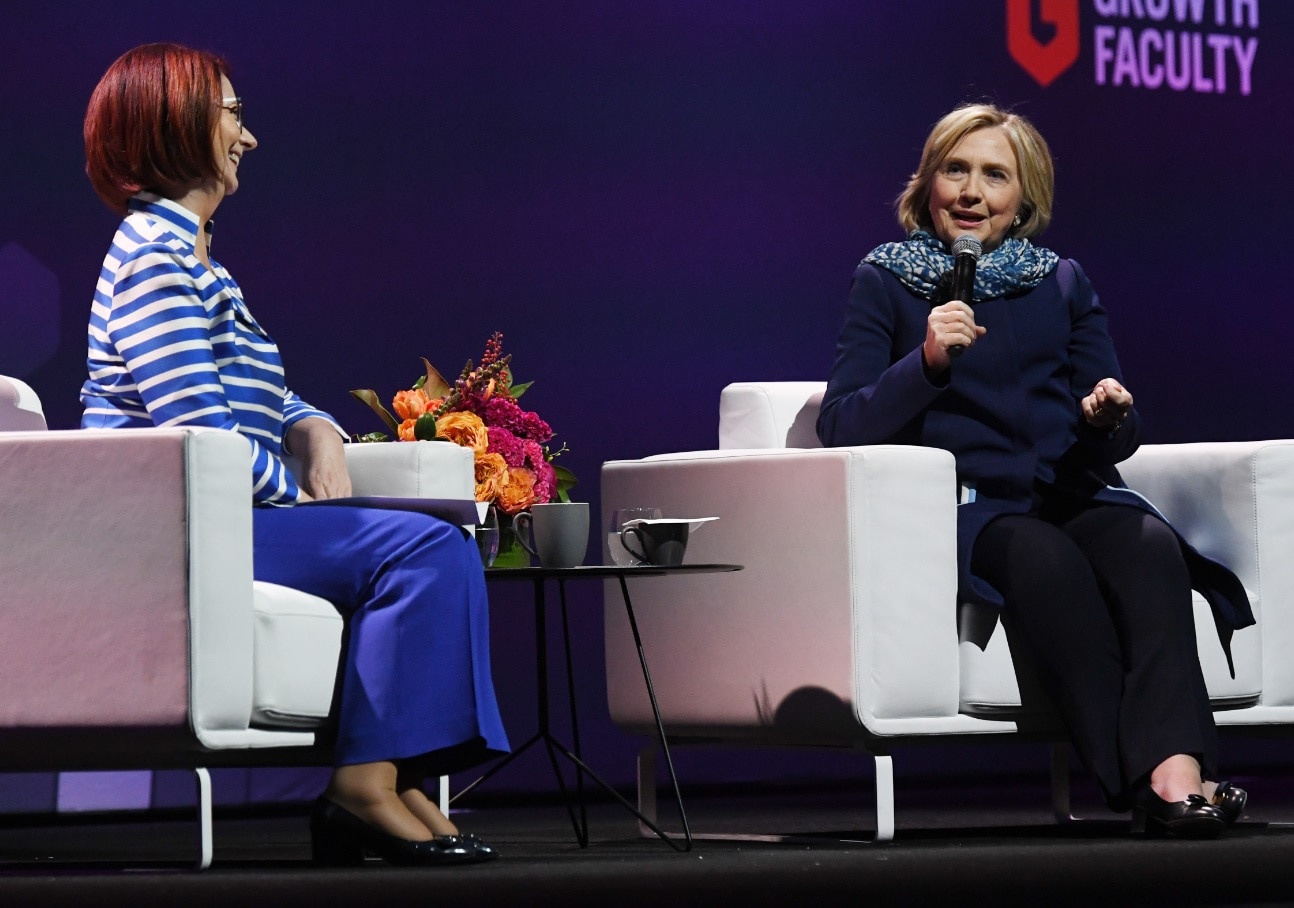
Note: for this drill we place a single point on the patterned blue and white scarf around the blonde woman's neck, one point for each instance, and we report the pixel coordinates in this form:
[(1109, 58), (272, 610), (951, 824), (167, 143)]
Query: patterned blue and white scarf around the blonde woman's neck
[(921, 261)]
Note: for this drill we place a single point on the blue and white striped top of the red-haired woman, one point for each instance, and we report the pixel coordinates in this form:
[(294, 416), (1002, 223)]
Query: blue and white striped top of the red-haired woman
[(173, 343)]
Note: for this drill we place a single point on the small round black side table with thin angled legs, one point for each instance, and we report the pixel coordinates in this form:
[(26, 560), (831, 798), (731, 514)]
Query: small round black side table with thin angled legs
[(539, 576)]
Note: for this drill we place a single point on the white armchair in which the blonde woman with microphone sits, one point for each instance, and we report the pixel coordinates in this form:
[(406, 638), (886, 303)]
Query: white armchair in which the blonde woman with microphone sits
[(844, 631)]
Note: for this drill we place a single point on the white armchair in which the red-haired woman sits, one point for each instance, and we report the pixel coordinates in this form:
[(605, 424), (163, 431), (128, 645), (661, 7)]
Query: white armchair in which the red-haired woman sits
[(131, 632)]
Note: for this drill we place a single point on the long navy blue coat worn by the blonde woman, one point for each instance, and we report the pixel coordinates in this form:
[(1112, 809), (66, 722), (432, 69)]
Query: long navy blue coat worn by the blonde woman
[(1009, 411)]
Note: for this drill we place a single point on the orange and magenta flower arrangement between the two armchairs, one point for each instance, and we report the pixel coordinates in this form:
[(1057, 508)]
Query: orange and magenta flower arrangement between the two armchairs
[(479, 411)]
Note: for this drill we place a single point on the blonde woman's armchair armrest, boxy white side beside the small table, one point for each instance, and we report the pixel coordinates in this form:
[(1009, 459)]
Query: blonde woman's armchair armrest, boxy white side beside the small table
[(848, 597)]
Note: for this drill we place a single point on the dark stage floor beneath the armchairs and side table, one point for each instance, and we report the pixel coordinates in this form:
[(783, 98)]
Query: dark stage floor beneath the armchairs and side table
[(993, 844)]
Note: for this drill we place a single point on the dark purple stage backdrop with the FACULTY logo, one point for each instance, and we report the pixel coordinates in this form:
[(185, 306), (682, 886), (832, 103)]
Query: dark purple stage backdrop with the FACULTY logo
[(654, 200)]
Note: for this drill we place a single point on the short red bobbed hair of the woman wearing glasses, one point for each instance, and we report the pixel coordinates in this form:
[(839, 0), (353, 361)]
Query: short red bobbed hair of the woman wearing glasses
[(152, 121)]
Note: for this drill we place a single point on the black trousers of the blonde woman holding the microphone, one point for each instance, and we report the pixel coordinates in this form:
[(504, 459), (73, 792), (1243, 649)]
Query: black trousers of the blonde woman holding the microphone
[(1099, 598)]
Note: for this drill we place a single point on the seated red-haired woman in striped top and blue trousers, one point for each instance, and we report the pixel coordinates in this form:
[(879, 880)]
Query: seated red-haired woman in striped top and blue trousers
[(173, 343)]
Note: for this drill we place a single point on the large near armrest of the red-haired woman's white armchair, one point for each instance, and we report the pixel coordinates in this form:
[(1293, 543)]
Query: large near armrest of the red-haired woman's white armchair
[(126, 570)]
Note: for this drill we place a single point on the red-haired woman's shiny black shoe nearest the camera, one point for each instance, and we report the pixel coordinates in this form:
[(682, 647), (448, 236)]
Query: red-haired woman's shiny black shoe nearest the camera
[(341, 838)]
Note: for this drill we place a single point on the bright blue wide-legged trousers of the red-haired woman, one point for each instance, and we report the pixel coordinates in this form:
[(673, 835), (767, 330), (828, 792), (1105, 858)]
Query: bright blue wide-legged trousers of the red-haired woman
[(417, 677)]
